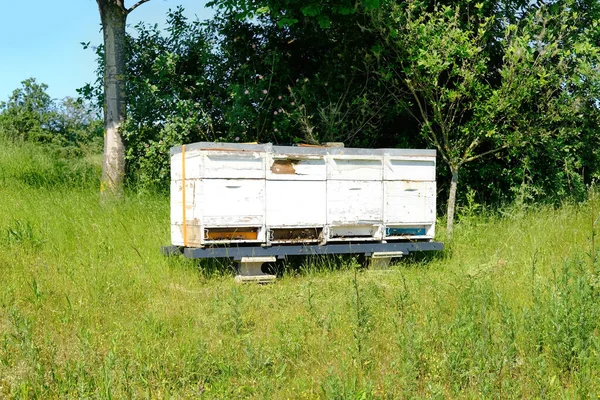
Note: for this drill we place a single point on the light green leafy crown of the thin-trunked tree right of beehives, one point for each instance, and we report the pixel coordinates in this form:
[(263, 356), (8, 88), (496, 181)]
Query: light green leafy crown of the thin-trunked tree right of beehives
[(466, 115)]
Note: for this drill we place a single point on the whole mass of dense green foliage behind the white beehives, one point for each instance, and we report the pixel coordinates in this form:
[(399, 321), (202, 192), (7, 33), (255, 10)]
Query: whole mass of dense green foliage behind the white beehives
[(508, 89)]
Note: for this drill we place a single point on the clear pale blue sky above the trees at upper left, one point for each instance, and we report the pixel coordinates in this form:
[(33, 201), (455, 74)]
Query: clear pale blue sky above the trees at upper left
[(42, 39)]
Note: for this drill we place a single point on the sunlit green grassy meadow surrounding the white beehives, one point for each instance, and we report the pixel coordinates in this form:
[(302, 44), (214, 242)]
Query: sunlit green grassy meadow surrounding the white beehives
[(90, 309)]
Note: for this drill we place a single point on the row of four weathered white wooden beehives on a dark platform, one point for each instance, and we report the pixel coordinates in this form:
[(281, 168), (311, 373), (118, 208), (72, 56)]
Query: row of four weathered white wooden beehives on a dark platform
[(230, 193)]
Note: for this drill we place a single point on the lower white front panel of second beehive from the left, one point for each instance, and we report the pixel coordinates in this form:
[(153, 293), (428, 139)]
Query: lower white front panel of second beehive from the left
[(296, 203)]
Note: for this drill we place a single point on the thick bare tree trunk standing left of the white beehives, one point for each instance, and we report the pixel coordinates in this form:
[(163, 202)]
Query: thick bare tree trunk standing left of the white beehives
[(113, 16)]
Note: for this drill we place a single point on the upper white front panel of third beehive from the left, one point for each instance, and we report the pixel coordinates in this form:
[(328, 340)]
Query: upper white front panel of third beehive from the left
[(355, 167)]
